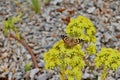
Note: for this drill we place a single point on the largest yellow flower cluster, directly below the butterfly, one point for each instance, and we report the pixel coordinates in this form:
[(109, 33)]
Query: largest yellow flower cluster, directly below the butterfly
[(68, 60)]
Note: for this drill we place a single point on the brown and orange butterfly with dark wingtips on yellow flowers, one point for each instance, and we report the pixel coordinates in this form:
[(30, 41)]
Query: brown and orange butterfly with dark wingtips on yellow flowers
[(70, 42)]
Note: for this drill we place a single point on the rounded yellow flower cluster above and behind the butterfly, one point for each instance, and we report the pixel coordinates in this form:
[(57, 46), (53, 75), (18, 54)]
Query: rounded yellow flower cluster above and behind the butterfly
[(81, 27)]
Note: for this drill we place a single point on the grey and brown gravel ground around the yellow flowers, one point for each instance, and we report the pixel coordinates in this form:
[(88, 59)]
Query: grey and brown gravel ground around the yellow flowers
[(41, 31)]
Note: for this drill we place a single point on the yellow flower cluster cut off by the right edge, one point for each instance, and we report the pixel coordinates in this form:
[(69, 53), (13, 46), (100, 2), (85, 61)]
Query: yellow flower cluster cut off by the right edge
[(109, 58)]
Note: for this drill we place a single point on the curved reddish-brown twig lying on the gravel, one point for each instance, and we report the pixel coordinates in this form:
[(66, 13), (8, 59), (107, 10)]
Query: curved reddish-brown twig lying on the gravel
[(28, 48)]
